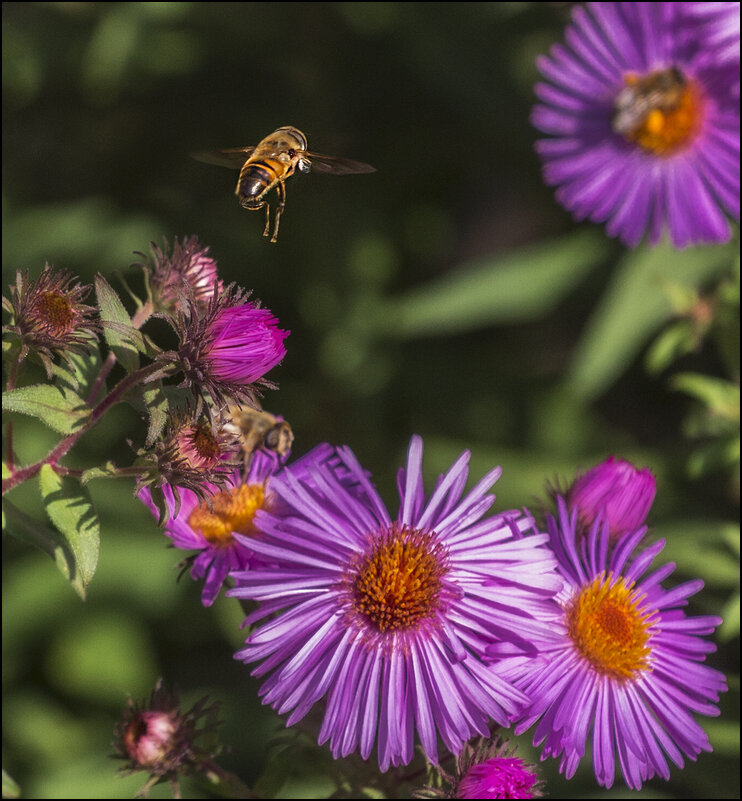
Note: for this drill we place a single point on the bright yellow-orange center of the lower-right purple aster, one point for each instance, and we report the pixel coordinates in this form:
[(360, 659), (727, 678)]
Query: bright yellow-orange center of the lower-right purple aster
[(609, 628)]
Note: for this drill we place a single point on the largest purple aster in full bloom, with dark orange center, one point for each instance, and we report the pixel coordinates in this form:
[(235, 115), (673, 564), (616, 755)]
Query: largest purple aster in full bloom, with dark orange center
[(387, 620)]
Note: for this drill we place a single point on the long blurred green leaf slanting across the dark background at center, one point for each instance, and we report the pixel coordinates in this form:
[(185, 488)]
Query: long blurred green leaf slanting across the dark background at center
[(518, 286)]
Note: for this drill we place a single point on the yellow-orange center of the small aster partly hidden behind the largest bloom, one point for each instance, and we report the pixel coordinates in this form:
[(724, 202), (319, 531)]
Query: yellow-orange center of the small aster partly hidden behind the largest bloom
[(229, 511)]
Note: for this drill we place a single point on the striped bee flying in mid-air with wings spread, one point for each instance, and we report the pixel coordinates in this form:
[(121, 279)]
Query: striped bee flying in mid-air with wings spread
[(268, 164)]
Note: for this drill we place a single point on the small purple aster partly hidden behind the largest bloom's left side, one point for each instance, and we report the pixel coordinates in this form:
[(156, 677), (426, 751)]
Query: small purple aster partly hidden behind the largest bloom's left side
[(209, 525)]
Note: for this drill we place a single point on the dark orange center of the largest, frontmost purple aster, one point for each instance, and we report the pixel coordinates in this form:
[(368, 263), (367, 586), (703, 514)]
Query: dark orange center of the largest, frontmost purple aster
[(399, 583)]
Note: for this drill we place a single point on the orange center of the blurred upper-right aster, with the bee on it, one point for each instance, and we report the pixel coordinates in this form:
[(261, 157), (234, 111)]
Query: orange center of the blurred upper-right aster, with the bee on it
[(660, 112)]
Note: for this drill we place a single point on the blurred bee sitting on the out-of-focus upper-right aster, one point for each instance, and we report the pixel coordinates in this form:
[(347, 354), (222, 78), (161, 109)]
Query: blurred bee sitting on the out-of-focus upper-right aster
[(661, 90)]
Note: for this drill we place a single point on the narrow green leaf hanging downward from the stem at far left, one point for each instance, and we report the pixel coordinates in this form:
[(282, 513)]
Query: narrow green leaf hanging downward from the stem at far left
[(71, 509)]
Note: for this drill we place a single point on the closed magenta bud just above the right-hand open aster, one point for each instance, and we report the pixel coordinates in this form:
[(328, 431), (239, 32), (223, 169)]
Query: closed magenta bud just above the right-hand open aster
[(616, 491)]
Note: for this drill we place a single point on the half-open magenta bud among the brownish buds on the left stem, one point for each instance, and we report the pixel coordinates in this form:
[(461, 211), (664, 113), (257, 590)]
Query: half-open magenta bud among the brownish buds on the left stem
[(245, 343)]
